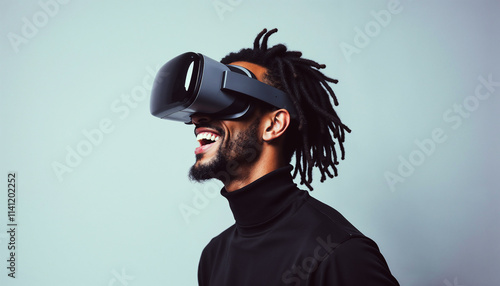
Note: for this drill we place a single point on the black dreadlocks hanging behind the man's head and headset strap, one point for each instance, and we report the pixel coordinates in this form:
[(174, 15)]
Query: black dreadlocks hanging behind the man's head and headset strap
[(312, 136)]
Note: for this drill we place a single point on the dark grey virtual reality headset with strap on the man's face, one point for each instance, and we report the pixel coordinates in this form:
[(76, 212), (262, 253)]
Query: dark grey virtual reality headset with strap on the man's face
[(193, 83)]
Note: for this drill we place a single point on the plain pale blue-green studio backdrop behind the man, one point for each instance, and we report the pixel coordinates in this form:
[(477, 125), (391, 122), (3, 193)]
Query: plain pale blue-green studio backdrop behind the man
[(102, 194)]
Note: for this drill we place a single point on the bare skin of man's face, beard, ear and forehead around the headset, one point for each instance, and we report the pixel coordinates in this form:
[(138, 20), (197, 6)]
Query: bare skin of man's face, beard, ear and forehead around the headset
[(237, 159)]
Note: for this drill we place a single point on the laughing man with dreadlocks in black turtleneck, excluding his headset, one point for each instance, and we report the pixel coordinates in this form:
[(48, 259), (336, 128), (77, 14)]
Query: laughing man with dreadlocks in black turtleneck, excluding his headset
[(281, 235)]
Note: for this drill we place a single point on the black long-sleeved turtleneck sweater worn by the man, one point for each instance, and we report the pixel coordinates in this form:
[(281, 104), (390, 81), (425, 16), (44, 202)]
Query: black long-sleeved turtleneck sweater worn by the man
[(283, 236)]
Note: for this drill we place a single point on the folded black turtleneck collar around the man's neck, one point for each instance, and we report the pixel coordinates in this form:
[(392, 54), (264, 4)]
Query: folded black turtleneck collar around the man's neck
[(264, 200)]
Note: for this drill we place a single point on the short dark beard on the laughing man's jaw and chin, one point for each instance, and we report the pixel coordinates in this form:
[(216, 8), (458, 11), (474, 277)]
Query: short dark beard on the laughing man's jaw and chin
[(243, 150)]
